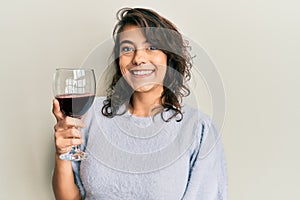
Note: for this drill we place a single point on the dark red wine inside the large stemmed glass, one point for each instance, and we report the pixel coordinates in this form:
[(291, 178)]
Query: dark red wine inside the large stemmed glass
[(75, 105)]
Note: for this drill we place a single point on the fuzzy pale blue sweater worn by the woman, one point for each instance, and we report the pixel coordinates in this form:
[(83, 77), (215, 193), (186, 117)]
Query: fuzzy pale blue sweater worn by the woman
[(145, 158)]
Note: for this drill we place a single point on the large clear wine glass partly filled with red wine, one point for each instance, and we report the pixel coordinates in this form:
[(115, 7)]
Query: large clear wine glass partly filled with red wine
[(75, 91)]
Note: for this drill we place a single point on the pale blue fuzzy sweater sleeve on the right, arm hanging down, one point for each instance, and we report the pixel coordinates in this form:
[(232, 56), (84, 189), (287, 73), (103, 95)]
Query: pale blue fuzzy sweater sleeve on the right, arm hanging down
[(207, 175)]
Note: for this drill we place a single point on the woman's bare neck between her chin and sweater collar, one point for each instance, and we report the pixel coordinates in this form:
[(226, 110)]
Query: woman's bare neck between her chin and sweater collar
[(144, 103)]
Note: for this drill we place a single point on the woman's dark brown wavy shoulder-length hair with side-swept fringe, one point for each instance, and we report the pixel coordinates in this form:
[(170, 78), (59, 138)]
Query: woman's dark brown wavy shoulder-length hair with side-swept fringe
[(164, 35)]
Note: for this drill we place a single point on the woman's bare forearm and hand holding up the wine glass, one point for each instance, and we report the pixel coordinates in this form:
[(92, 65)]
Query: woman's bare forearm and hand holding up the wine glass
[(67, 133)]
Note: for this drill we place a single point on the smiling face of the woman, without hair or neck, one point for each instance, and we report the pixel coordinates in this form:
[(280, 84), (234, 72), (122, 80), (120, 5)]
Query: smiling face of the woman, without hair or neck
[(142, 65)]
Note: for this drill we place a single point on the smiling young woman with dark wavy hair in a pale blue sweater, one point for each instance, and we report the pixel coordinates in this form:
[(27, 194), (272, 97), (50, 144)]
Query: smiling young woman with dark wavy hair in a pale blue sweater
[(142, 142)]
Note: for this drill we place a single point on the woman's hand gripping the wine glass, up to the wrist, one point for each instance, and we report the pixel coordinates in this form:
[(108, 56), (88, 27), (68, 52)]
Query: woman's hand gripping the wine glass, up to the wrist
[(67, 130)]
